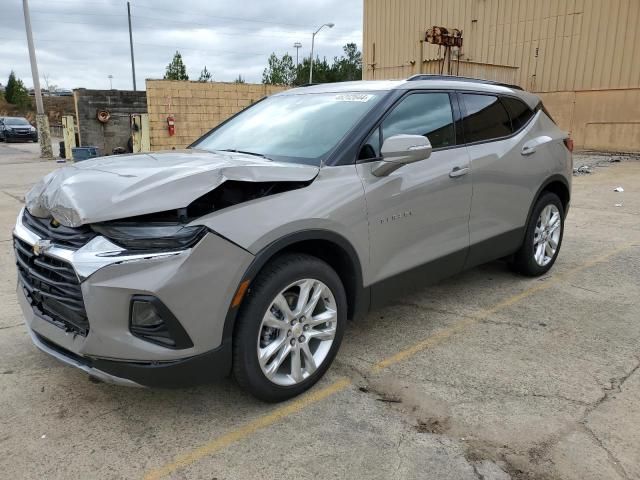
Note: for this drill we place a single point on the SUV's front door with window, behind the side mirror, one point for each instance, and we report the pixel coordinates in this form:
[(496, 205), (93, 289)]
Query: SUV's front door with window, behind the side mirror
[(419, 214)]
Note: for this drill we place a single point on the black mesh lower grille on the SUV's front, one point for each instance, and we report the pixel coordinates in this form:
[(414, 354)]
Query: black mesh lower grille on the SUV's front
[(53, 289)]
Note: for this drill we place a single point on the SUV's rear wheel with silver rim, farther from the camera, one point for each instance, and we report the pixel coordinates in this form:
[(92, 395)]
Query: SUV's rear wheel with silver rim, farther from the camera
[(543, 237)]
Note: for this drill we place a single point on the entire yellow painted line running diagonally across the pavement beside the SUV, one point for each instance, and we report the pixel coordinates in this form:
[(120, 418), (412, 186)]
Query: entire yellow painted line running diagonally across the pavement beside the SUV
[(316, 396)]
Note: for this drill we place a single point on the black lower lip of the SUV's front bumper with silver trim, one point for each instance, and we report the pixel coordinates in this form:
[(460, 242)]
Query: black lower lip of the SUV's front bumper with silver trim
[(190, 371)]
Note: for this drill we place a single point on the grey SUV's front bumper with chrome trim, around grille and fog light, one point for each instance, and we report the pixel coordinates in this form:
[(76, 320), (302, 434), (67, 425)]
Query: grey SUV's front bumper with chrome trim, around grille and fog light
[(196, 284)]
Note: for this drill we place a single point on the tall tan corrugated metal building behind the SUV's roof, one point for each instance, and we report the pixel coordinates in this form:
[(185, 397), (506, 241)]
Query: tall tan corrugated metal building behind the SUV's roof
[(581, 56)]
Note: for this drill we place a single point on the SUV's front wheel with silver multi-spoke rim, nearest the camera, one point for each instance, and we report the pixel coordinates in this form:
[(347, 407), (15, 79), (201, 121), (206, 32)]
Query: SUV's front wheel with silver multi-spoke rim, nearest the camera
[(289, 328)]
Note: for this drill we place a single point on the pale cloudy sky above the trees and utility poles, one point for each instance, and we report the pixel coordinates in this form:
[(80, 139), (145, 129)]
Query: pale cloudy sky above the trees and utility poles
[(79, 43)]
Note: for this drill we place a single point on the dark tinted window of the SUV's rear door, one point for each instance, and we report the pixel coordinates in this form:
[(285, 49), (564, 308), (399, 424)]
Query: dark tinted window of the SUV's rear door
[(485, 118)]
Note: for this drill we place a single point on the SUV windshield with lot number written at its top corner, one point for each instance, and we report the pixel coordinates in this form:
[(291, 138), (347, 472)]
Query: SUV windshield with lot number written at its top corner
[(293, 128)]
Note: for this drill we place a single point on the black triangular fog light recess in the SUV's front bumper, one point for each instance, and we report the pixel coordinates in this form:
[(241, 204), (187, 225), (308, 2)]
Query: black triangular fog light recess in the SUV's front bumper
[(152, 321)]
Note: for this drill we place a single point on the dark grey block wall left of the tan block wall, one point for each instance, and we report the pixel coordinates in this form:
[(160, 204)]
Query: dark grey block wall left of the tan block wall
[(117, 131)]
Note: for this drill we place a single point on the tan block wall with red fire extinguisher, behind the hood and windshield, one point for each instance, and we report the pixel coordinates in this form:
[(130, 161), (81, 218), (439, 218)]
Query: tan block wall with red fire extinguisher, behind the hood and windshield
[(197, 107)]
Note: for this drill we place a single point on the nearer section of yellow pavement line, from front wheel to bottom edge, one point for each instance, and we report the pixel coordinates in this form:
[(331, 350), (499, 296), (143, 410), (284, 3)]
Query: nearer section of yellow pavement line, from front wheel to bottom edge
[(227, 439)]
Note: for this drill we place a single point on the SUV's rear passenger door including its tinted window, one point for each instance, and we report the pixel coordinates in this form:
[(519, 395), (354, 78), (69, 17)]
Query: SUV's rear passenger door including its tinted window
[(496, 129)]
